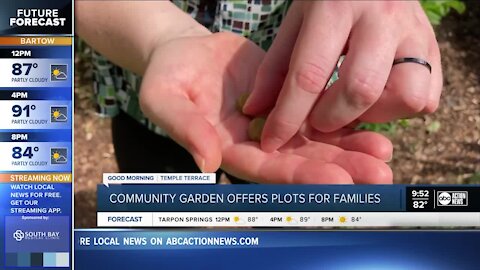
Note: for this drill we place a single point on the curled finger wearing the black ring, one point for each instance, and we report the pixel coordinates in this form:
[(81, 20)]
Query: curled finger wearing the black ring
[(408, 87)]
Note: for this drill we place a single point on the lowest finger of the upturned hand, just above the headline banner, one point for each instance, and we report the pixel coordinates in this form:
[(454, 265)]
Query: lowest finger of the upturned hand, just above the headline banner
[(248, 161)]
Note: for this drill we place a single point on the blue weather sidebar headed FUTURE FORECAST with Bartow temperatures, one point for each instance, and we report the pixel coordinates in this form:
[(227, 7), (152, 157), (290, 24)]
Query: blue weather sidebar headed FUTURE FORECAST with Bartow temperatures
[(35, 140)]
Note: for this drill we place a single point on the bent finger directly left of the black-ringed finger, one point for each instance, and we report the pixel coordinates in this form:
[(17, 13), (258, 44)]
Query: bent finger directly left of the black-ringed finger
[(363, 76)]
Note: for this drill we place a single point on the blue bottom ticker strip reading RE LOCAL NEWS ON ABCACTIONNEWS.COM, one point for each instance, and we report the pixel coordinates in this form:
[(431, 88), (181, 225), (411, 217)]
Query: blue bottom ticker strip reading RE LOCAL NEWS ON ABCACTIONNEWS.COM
[(144, 249)]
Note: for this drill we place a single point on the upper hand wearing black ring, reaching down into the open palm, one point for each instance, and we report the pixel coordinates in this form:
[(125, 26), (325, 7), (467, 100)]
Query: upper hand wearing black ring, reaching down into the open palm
[(314, 34)]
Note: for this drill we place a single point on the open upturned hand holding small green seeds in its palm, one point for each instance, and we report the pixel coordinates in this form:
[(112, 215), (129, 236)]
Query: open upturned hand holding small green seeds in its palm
[(190, 88)]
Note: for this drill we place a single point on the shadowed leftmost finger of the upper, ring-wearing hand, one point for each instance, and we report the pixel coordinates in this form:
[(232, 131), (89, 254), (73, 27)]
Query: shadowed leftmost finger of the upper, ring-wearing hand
[(274, 67)]
